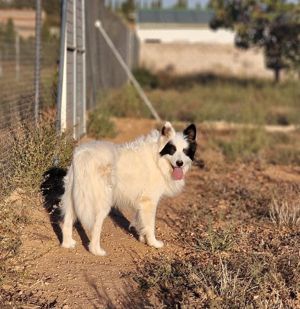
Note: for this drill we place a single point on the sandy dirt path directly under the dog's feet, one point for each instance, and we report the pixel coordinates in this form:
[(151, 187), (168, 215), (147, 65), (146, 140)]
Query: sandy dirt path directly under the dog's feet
[(78, 279)]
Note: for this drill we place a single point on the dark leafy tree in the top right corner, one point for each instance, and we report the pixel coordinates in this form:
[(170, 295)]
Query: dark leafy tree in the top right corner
[(273, 25)]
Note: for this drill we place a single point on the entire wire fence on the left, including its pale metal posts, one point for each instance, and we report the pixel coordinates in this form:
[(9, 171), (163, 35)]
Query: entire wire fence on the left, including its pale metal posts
[(30, 83)]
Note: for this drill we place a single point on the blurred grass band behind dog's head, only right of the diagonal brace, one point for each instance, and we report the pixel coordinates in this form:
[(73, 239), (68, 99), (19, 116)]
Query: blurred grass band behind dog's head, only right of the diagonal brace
[(213, 98)]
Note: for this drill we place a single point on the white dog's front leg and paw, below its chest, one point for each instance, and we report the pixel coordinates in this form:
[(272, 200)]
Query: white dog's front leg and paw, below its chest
[(147, 215)]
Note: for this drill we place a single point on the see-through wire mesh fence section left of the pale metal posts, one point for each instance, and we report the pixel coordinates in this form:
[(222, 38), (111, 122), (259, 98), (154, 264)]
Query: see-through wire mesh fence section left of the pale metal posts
[(28, 72)]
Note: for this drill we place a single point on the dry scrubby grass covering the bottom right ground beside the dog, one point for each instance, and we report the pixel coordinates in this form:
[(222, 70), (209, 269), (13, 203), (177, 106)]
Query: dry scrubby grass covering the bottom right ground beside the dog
[(233, 255)]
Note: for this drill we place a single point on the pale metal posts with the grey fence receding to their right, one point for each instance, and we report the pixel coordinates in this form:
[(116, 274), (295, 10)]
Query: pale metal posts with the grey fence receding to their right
[(88, 66)]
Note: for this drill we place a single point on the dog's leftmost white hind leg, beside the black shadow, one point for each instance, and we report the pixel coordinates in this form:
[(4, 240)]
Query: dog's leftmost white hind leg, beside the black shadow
[(69, 214)]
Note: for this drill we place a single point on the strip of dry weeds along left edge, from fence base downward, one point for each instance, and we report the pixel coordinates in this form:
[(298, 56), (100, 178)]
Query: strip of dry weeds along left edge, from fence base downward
[(33, 151)]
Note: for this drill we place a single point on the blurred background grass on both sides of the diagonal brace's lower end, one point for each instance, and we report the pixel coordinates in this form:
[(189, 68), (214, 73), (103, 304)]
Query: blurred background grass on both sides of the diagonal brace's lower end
[(209, 98)]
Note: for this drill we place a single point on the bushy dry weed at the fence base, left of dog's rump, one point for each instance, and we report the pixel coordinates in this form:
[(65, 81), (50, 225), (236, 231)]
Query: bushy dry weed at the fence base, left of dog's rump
[(33, 151)]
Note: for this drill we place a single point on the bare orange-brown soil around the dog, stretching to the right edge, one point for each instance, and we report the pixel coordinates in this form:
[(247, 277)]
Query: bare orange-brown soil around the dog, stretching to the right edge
[(75, 278)]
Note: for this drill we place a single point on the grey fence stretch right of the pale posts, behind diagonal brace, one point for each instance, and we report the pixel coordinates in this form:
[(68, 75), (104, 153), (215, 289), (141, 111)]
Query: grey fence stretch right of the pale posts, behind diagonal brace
[(103, 69)]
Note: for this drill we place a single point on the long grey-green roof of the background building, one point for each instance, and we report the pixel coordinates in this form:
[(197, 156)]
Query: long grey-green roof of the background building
[(163, 16)]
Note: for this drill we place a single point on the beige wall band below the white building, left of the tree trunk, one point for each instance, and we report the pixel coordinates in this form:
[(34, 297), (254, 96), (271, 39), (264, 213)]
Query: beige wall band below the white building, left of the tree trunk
[(182, 58)]
